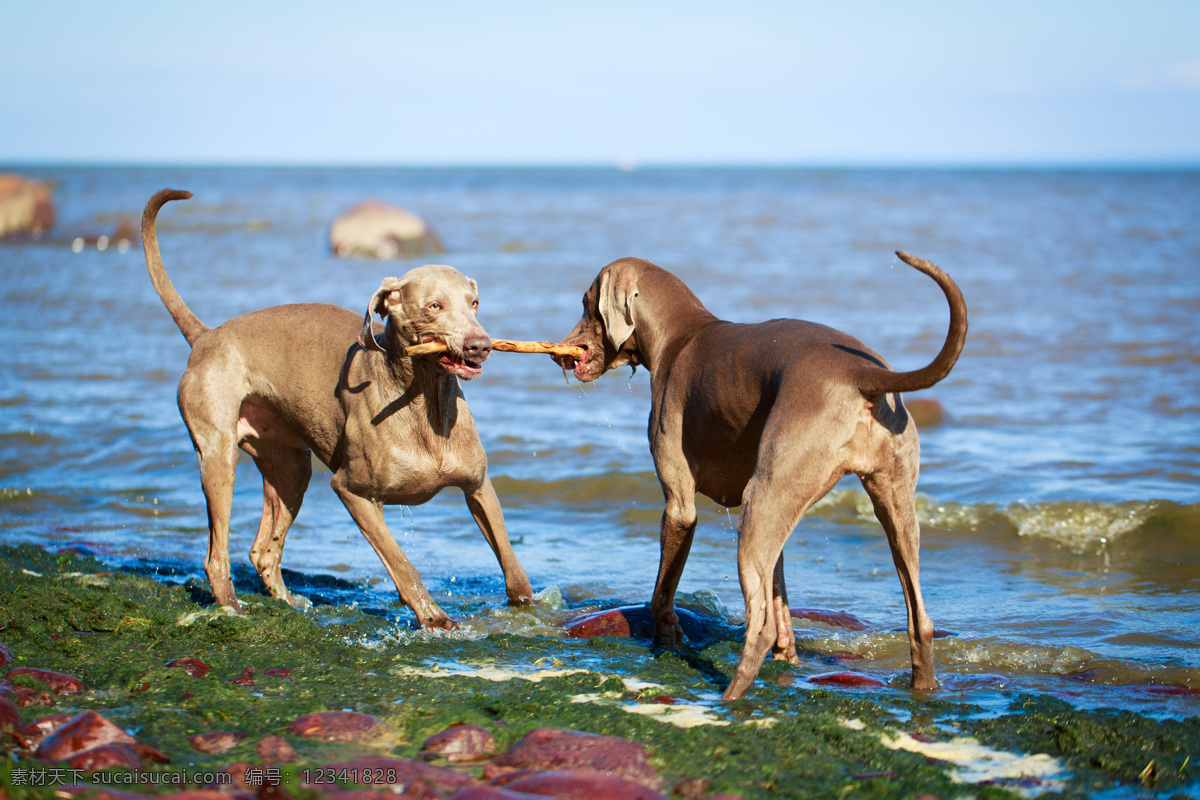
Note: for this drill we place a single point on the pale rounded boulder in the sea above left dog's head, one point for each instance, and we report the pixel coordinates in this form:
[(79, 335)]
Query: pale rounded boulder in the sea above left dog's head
[(374, 230)]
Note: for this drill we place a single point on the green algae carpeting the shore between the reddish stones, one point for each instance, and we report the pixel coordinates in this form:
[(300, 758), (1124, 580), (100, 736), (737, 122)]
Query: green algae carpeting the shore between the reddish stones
[(117, 631)]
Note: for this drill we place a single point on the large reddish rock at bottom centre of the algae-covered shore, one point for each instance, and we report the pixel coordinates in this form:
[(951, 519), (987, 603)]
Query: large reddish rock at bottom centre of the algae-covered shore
[(548, 749)]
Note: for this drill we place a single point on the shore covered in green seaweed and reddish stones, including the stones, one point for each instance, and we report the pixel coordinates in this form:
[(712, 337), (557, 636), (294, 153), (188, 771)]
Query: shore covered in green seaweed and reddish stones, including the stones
[(280, 703)]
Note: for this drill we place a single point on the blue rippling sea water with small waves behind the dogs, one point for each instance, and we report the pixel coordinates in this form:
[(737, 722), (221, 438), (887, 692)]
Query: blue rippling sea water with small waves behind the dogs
[(1059, 500)]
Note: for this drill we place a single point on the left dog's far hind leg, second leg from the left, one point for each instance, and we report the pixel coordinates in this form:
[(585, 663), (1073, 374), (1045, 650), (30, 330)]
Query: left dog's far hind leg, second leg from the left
[(286, 474)]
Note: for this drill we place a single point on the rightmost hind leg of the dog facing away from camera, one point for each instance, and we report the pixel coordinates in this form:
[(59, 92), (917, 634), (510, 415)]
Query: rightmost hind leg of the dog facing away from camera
[(892, 492)]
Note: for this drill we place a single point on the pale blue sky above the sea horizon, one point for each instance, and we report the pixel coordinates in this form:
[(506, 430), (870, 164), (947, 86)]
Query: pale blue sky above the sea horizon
[(545, 83)]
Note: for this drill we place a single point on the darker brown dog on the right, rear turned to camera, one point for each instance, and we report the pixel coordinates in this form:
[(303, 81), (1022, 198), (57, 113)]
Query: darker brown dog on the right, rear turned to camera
[(770, 418)]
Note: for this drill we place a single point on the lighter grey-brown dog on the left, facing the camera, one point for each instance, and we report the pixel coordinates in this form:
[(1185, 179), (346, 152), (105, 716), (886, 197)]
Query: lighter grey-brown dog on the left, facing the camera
[(291, 381)]
